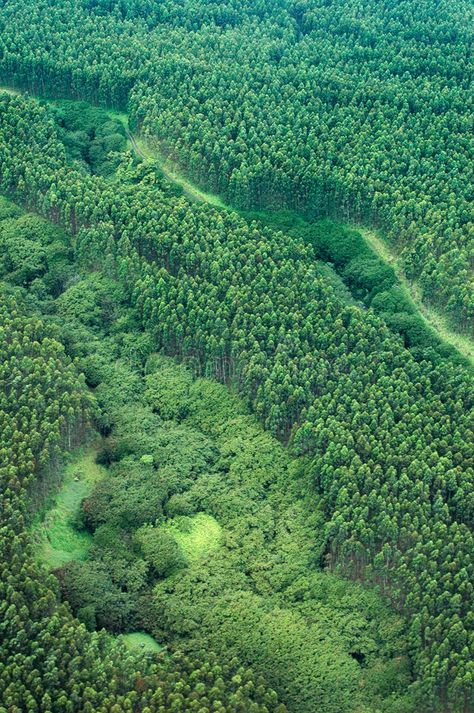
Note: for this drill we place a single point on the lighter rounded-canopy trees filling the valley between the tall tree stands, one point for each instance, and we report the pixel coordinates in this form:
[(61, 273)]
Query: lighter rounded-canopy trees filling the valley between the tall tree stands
[(195, 458)]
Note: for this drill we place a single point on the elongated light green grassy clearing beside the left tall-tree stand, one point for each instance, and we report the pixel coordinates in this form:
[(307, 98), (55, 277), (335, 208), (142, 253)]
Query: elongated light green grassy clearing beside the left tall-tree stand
[(57, 539)]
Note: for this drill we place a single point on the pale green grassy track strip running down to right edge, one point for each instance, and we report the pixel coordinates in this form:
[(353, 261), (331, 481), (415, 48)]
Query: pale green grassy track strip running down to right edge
[(432, 317)]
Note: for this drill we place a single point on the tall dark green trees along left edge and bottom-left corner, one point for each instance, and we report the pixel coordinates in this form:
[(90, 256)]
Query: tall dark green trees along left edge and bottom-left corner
[(49, 661)]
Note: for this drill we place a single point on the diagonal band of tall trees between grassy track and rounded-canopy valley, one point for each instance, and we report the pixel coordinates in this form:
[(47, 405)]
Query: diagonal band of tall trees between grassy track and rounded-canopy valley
[(387, 435)]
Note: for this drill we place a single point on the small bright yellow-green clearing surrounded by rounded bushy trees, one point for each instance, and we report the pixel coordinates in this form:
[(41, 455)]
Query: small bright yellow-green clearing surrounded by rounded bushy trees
[(197, 536)]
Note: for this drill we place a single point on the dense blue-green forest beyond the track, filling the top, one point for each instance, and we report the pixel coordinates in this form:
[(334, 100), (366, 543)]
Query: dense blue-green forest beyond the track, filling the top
[(360, 109)]
